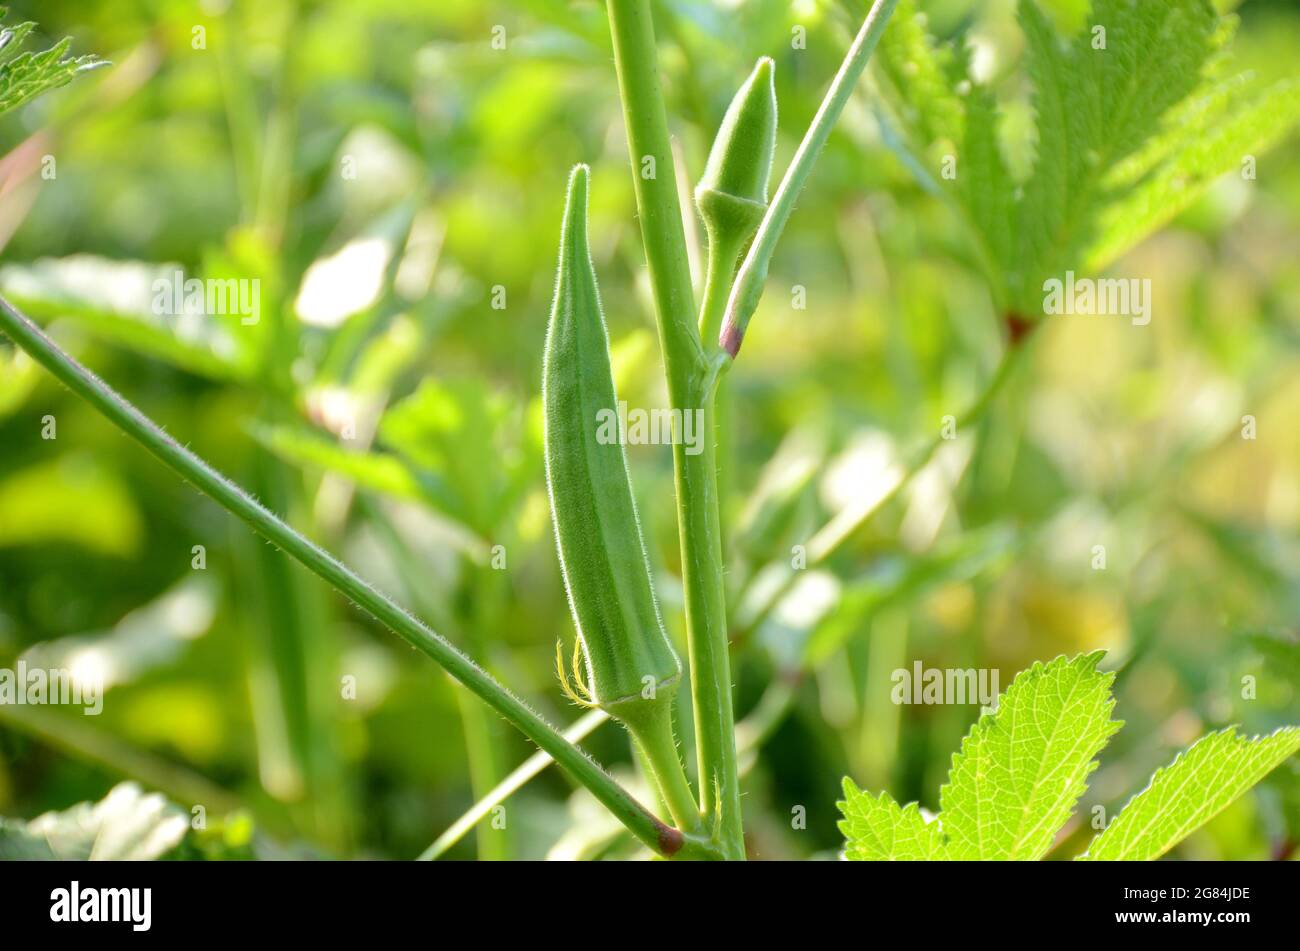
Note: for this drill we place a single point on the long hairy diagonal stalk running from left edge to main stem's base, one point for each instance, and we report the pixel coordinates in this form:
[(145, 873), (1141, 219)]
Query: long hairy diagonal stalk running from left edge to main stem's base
[(649, 830)]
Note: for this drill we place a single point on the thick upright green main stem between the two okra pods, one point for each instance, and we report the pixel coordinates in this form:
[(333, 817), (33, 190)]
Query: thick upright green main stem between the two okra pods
[(691, 388)]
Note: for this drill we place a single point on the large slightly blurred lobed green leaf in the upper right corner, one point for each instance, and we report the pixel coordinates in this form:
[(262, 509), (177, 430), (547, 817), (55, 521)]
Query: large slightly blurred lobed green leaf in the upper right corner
[(1136, 119)]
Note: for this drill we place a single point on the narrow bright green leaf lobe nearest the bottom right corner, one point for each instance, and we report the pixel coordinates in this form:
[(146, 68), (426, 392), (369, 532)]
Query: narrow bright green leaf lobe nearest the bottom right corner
[(1190, 792)]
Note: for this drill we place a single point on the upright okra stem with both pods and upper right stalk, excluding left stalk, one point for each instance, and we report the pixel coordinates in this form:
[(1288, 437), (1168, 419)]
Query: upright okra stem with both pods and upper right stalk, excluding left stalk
[(631, 666)]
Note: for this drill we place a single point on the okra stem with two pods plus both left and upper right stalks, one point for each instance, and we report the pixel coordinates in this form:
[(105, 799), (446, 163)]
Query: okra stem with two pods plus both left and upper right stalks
[(631, 667)]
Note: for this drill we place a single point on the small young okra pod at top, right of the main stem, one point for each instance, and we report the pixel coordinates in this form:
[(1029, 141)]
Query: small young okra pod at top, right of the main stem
[(733, 196)]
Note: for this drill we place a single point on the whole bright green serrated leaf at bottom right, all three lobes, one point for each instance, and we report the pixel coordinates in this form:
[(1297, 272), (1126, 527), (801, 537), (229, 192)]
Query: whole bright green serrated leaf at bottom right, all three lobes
[(1022, 770)]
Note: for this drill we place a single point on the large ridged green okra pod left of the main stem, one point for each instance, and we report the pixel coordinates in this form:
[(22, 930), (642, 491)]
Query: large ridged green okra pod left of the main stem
[(632, 667)]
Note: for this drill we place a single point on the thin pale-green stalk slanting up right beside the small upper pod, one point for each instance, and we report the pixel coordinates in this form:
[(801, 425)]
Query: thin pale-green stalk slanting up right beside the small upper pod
[(753, 273)]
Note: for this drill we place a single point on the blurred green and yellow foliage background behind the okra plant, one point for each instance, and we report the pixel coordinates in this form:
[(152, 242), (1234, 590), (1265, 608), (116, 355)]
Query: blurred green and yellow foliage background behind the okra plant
[(396, 184)]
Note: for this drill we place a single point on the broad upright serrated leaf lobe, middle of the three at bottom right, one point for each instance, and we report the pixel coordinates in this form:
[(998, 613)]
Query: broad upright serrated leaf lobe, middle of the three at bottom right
[(1022, 770)]
